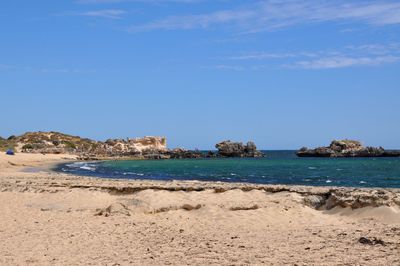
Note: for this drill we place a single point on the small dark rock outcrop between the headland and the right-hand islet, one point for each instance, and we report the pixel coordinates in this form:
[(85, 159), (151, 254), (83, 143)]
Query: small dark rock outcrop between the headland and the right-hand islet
[(237, 149)]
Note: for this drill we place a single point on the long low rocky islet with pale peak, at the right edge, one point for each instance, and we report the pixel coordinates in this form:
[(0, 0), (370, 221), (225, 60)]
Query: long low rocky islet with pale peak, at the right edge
[(346, 148)]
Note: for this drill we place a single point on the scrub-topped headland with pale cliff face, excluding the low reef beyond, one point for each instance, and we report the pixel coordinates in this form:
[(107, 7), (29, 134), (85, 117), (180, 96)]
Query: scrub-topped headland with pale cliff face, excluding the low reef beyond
[(57, 143)]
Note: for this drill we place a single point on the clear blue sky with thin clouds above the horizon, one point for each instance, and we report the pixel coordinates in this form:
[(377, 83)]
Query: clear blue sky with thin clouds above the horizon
[(284, 74)]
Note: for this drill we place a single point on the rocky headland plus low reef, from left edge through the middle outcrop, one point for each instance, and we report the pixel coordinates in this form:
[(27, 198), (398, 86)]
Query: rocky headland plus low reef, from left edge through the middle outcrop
[(149, 147)]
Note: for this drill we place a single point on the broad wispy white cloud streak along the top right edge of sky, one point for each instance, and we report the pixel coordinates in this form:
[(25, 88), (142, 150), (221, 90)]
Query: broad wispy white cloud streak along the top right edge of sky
[(273, 14)]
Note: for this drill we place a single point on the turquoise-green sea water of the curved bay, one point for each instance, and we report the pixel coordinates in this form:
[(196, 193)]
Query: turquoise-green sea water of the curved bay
[(279, 167)]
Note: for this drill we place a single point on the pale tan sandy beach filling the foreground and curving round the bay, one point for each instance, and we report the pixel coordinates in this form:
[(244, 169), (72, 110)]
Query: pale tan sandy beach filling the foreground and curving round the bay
[(50, 218)]
